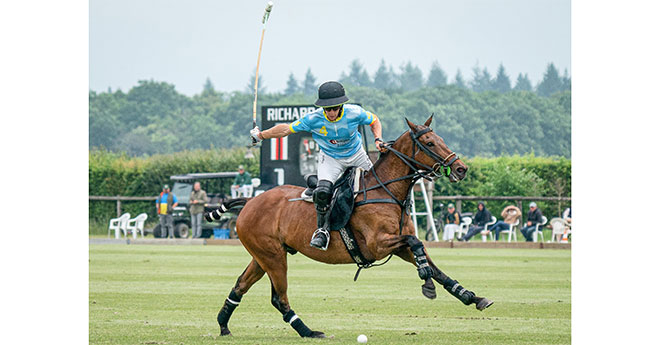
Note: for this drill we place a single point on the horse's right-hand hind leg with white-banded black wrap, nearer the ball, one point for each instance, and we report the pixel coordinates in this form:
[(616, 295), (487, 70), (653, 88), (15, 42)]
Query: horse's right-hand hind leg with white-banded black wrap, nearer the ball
[(276, 269)]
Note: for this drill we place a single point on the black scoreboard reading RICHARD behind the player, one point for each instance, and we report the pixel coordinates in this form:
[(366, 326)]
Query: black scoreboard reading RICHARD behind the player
[(286, 160)]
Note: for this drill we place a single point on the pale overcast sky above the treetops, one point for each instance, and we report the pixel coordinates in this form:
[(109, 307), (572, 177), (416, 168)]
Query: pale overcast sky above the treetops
[(185, 42)]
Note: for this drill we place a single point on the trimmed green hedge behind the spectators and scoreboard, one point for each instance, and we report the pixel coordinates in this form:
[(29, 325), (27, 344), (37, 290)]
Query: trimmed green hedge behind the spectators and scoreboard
[(113, 174)]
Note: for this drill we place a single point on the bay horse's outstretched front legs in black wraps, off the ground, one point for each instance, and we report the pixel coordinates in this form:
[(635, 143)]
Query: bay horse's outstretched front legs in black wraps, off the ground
[(427, 270)]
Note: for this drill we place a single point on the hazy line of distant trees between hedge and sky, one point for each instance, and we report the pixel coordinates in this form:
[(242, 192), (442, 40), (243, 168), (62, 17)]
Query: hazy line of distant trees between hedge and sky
[(484, 116)]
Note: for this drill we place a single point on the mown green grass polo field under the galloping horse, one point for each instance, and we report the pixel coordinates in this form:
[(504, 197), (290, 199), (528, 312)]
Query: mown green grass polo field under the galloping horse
[(147, 294)]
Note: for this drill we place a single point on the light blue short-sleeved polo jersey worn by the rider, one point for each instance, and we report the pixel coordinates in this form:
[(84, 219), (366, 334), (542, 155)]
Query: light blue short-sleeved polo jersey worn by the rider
[(339, 138)]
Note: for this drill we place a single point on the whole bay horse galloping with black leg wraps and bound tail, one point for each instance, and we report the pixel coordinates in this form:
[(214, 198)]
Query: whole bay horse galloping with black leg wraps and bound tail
[(269, 225)]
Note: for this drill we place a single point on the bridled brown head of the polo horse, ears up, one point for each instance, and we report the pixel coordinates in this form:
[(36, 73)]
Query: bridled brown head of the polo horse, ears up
[(429, 149)]
